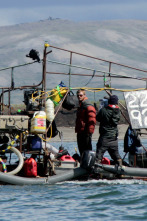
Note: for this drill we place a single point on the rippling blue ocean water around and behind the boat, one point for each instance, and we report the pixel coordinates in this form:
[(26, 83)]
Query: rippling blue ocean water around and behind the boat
[(76, 200)]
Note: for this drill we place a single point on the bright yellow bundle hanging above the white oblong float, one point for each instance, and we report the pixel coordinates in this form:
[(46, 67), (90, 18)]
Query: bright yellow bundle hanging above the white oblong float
[(57, 94)]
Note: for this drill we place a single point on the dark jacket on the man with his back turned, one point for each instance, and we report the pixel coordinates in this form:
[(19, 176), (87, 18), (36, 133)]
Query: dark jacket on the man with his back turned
[(108, 117)]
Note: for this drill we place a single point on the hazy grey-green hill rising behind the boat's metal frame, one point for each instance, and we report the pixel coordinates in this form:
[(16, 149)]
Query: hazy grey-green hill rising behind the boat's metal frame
[(118, 41)]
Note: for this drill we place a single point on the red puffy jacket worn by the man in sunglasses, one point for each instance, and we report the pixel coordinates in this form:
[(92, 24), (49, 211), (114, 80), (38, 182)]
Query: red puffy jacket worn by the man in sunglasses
[(86, 118)]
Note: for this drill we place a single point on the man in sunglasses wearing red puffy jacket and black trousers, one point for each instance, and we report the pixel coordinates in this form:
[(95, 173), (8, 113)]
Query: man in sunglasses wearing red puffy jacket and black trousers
[(85, 122)]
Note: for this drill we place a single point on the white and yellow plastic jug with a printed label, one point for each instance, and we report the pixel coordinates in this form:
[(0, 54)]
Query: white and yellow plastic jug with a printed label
[(38, 122)]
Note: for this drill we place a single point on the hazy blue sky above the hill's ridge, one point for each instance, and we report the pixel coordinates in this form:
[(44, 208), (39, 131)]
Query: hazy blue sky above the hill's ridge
[(23, 11)]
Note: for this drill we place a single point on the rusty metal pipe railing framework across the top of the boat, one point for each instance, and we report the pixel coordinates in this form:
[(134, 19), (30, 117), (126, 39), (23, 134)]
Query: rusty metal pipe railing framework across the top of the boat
[(96, 73)]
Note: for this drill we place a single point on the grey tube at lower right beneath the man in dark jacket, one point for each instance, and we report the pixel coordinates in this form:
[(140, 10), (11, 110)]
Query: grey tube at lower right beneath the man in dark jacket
[(124, 170)]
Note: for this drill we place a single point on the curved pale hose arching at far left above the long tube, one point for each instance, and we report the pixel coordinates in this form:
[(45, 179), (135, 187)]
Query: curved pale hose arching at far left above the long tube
[(21, 161)]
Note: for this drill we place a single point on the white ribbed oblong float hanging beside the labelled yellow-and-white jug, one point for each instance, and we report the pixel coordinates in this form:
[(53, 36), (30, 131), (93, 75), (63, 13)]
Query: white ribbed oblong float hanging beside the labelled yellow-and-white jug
[(49, 109)]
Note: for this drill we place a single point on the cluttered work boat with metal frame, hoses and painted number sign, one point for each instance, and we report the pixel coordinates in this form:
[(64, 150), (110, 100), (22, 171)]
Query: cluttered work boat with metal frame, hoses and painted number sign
[(26, 134)]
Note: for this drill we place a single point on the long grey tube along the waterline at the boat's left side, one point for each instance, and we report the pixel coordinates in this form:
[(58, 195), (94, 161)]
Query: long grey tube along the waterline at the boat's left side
[(16, 180)]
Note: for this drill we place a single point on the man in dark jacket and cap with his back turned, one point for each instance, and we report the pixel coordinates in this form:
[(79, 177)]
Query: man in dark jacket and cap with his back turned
[(109, 117)]
